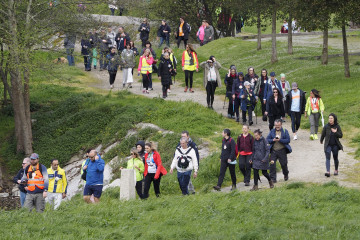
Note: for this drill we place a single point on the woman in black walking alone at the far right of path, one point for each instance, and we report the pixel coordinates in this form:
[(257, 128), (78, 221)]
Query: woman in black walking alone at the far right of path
[(331, 133)]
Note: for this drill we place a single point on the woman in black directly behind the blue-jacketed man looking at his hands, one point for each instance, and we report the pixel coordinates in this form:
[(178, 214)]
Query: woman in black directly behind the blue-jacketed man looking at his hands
[(274, 107)]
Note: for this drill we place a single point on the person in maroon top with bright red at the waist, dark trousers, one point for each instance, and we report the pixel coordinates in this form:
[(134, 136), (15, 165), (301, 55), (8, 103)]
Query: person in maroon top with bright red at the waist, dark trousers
[(244, 148)]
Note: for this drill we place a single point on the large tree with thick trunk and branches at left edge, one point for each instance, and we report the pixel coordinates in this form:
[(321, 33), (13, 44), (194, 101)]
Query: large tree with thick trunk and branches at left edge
[(24, 25)]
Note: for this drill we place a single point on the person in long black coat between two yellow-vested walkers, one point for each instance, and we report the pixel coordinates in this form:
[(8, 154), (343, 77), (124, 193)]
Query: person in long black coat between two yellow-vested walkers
[(165, 72)]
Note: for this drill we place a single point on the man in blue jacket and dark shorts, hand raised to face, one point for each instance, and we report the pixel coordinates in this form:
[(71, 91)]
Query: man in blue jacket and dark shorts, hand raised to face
[(94, 177)]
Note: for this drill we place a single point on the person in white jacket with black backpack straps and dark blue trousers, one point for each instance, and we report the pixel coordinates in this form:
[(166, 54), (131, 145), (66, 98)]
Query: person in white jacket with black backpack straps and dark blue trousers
[(185, 162)]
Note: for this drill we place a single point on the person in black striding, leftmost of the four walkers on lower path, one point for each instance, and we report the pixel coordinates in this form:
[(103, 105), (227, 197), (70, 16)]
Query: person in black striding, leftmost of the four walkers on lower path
[(227, 159)]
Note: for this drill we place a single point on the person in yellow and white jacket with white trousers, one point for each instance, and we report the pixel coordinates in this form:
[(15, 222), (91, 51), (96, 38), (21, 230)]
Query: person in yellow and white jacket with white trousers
[(57, 184)]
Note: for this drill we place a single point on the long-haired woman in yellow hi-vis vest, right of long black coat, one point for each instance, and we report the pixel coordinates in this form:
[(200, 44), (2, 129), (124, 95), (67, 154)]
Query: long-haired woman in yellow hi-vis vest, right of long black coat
[(190, 63)]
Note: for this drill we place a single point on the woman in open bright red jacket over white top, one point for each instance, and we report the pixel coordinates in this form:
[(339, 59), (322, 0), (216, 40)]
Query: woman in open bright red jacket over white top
[(153, 170)]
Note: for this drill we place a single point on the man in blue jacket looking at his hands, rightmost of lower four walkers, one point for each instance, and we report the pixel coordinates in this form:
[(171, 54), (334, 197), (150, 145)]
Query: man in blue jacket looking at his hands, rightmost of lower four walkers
[(279, 140)]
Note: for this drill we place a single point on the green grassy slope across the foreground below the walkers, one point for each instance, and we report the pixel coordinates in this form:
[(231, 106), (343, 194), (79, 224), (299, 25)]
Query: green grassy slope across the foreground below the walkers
[(313, 212)]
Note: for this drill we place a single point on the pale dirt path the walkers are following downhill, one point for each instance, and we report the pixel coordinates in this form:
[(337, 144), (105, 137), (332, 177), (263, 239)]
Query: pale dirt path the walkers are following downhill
[(307, 161)]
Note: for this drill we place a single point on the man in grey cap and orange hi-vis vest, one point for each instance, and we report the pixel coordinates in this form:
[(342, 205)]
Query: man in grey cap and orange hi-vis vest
[(37, 181)]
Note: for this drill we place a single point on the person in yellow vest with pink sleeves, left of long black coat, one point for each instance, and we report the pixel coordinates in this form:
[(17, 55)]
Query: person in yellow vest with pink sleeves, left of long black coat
[(145, 68)]
